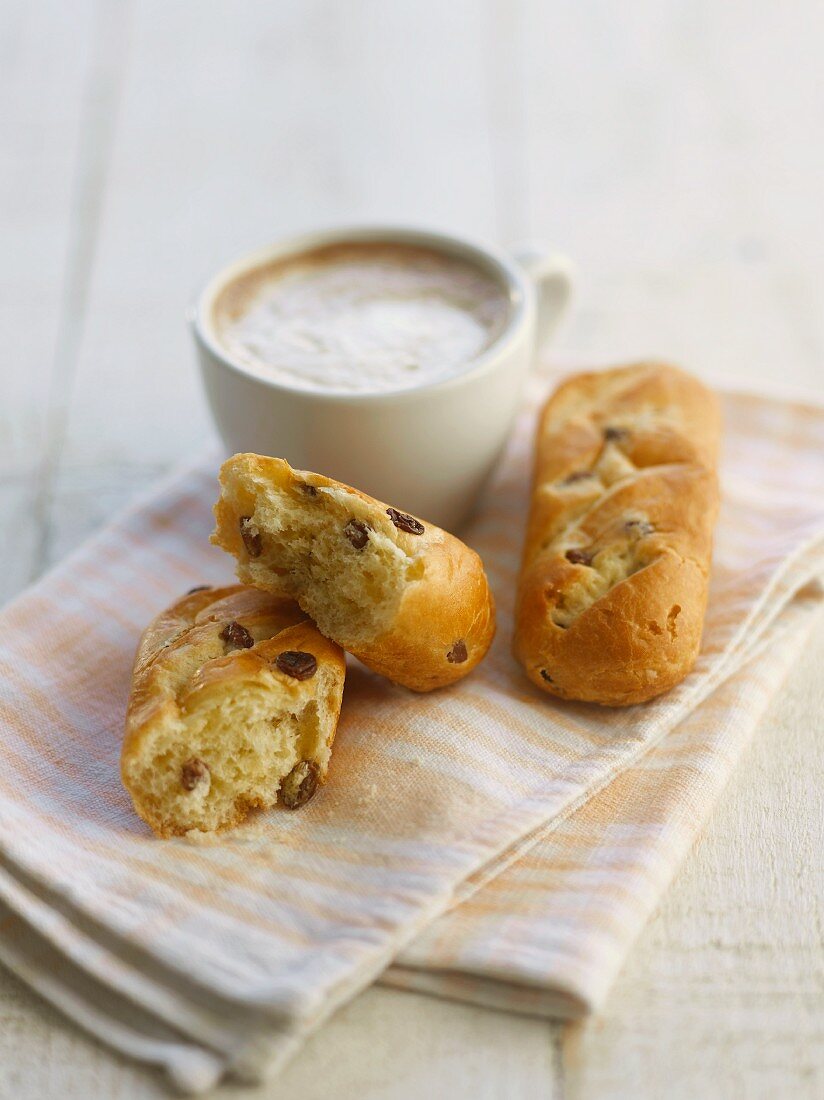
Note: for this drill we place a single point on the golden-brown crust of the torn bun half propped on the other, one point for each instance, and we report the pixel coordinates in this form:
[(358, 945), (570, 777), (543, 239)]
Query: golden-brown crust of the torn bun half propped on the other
[(445, 622)]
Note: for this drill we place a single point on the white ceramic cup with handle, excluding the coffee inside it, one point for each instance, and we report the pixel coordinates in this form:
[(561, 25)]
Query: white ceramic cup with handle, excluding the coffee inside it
[(427, 450)]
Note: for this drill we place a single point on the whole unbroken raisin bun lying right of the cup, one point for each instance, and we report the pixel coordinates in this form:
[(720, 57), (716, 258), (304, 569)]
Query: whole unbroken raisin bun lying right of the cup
[(614, 576)]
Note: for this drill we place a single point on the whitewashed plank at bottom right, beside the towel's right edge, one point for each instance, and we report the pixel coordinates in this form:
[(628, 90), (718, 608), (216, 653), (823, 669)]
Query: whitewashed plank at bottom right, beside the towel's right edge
[(722, 995)]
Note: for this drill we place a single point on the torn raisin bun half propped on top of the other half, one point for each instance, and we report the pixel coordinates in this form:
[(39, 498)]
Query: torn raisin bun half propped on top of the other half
[(409, 600)]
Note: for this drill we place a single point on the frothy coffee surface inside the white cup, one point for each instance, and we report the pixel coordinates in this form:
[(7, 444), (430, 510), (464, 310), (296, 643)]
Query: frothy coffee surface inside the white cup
[(361, 317)]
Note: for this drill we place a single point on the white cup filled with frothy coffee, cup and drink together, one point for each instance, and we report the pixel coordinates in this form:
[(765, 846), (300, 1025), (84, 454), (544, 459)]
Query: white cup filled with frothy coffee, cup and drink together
[(390, 359)]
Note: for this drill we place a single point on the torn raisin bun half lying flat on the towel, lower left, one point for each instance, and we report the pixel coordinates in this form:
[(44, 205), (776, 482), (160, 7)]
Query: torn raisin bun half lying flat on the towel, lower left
[(235, 705)]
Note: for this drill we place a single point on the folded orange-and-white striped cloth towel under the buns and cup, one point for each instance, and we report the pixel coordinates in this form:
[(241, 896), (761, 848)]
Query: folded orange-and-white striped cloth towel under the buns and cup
[(485, 842)]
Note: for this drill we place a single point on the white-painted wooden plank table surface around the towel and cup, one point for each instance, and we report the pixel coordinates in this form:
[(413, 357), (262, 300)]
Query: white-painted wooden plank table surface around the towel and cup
[(675, 151)]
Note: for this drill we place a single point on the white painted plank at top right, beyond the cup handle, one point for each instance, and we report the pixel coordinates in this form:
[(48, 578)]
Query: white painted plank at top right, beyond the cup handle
[(674, 150)]
